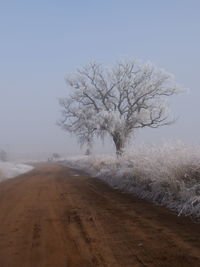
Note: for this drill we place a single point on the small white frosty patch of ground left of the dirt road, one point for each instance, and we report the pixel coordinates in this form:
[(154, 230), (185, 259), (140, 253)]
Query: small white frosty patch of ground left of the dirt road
[(10, 169)]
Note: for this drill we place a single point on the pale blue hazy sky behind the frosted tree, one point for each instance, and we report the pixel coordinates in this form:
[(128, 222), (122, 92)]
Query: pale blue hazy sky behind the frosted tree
[(40, 41)]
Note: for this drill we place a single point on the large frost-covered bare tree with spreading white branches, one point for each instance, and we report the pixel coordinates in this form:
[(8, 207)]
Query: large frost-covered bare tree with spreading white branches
[(116, 101)]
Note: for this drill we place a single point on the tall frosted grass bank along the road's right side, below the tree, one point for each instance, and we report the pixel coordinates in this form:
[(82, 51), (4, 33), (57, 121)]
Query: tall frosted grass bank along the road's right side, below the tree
[(168, 175)]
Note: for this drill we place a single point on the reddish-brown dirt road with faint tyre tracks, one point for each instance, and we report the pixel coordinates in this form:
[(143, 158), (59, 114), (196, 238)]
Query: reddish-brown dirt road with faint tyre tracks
[(58, 217)]
